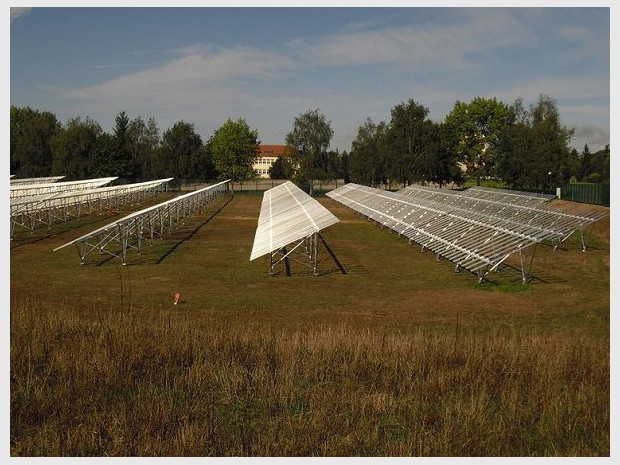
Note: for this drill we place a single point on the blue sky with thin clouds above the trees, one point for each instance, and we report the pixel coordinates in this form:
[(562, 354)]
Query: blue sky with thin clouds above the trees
[(204, 65)]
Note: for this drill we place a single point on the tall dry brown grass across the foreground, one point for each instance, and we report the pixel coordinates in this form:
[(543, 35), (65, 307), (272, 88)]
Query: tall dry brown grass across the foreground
[(121, 383)]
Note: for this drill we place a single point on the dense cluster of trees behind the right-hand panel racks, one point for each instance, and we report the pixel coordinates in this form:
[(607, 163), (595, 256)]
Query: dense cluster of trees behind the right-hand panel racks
[(524, 149)]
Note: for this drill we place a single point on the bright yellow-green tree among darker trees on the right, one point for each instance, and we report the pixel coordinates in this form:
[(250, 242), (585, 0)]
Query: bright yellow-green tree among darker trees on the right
[(477, 132)]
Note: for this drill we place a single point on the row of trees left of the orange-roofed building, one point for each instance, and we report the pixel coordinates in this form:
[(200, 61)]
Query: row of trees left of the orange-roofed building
[(42, 146)]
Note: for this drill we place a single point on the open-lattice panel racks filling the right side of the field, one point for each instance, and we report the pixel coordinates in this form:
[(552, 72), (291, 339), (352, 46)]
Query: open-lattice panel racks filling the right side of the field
[(475, 235)]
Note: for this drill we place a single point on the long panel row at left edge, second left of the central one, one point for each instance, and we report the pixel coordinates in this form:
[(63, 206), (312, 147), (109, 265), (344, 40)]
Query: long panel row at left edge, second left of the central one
[(46, 209)]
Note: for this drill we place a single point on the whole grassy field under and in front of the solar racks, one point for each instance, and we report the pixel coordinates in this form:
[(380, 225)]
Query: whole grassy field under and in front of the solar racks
[(400, 356)]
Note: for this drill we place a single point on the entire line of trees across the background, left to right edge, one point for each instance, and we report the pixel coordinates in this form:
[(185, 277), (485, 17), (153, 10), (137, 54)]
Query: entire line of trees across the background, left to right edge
[(485, 139)]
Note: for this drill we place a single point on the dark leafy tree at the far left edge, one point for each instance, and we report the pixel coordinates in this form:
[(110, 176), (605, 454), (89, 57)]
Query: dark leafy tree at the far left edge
[(30, 146)]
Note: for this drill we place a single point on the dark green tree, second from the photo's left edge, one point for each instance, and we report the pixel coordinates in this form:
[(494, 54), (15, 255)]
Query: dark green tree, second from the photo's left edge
[(74, 147)]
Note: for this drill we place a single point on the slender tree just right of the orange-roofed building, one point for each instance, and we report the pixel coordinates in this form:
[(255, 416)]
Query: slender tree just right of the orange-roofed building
[(308, 140)]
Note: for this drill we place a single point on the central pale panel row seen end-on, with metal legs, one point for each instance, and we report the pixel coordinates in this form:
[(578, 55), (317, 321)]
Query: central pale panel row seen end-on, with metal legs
[(290, 217)]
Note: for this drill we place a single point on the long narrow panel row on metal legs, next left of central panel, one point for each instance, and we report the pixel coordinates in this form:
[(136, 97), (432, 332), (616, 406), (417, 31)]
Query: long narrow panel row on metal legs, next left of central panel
[(129, 232)]
